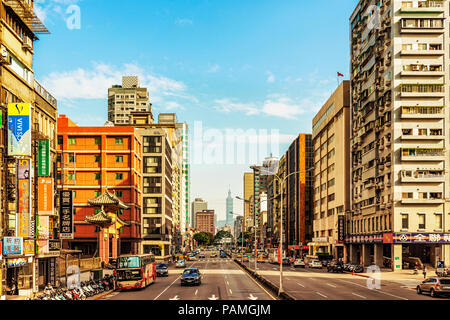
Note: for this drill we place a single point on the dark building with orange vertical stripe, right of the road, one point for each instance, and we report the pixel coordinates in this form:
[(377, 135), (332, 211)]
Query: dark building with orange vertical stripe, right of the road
[(299, 193)]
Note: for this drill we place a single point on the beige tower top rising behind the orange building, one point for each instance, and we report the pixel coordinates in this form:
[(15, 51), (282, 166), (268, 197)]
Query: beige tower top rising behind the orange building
[(127, 98)]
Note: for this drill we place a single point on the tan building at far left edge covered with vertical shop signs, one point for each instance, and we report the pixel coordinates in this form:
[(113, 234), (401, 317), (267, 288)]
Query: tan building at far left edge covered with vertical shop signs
[(17, 85)]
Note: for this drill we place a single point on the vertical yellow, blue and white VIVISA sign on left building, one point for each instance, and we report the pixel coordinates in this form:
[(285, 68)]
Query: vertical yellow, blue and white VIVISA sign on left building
[(19, 129)]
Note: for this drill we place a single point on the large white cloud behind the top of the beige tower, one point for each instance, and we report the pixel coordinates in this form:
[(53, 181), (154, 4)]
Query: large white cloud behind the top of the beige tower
[(93, 83)]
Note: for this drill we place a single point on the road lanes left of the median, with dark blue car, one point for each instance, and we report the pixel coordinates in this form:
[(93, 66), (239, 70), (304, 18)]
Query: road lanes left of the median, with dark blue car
[(222, 280)]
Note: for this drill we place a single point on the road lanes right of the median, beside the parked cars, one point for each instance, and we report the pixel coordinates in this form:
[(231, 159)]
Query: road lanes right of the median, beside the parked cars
[(318, 284)]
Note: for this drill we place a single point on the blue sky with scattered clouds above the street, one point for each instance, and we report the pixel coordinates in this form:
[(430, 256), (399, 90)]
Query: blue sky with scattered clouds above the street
[(255, 64)]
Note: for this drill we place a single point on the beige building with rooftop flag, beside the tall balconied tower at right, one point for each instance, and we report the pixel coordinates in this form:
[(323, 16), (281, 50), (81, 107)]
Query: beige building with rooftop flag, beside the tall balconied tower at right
[(331, 141)]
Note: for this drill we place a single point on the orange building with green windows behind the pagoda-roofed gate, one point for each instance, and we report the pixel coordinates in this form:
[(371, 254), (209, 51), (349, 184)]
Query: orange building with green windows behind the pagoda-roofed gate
[(91, 159)]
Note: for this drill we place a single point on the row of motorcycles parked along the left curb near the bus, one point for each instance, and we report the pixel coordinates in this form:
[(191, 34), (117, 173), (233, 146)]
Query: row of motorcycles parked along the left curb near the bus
[(85, 290)]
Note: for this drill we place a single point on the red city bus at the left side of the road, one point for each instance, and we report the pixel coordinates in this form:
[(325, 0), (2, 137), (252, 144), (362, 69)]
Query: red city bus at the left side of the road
[(135, 271)]
